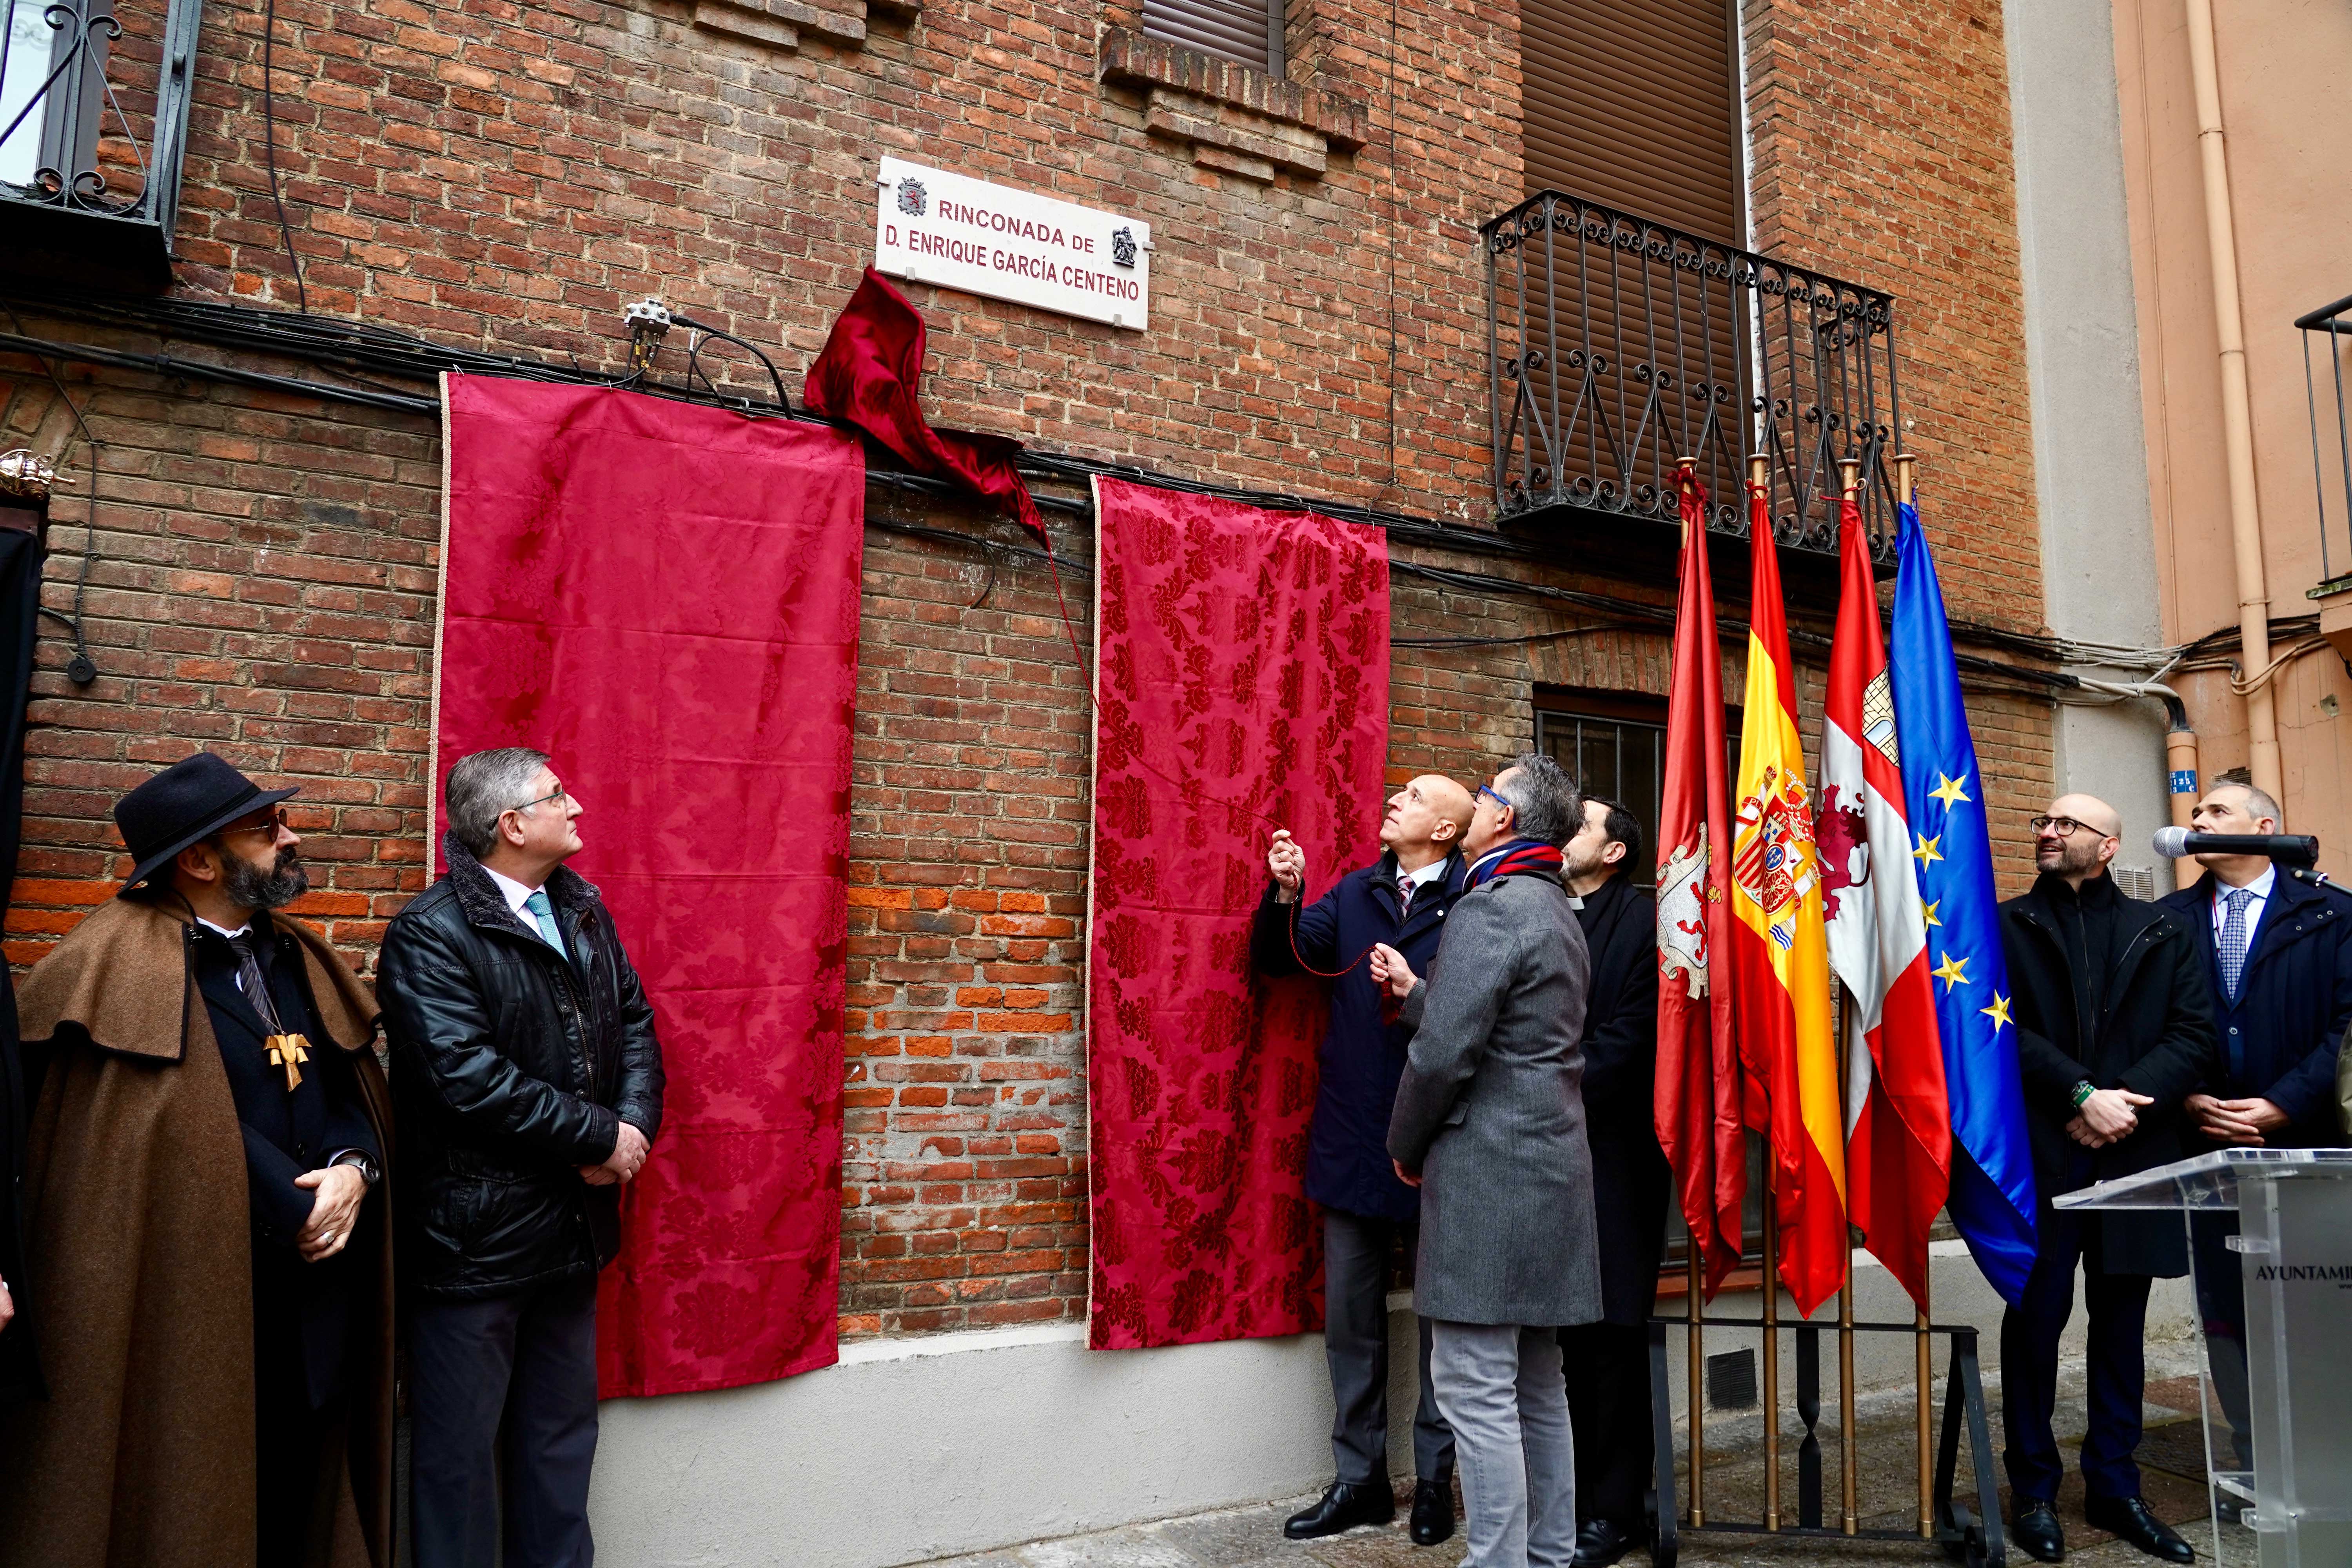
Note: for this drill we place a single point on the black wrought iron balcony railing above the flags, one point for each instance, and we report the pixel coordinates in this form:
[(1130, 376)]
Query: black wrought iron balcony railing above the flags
[(1619, 347)]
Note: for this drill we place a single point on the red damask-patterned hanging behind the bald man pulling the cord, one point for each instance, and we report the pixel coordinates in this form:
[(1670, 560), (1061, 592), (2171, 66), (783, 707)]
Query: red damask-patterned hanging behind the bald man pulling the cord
[(1243, 685)]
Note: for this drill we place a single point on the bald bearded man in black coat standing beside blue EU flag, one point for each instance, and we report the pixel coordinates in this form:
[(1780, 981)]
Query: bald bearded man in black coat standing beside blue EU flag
[(2113, 1033)]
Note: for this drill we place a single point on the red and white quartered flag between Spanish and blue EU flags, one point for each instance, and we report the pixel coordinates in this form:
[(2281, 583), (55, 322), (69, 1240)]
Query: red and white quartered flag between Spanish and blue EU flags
[(1899, 1134)]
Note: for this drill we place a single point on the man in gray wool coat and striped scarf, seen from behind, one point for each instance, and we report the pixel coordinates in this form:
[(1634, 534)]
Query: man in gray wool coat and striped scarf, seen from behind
[(1492, 1127)]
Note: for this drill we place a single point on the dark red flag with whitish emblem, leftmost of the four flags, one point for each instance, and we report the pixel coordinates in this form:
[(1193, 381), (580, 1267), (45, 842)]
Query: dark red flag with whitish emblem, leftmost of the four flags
[(1699, 1073)]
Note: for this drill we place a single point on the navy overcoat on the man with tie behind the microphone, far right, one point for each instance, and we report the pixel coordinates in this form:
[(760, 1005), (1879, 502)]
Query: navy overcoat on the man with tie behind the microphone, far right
[(2294, 1003)]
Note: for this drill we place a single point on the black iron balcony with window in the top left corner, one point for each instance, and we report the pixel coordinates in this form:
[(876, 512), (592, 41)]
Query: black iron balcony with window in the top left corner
[(93, 128)]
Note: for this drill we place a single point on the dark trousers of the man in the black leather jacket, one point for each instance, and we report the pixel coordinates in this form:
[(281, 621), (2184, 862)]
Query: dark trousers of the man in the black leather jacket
[(526, 1362)]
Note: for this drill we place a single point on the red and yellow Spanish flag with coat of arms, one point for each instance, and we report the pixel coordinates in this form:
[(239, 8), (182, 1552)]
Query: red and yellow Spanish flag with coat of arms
[(1782, 951)]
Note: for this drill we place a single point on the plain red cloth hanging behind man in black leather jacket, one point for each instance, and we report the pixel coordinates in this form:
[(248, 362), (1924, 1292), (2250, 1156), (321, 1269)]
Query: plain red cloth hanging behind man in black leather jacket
[(664, 598)]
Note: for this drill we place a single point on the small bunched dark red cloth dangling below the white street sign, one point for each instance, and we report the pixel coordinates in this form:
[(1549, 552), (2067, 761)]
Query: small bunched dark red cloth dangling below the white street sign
[(869, 377)]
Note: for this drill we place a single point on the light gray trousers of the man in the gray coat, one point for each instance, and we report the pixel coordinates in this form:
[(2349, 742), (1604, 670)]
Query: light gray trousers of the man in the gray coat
[(1502, 1388)]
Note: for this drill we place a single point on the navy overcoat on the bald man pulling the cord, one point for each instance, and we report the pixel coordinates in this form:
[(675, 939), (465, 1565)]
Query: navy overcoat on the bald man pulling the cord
[(1363, 1054)]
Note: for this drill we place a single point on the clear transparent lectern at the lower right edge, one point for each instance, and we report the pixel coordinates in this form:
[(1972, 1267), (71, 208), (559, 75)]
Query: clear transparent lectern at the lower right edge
[(2271, 1252)]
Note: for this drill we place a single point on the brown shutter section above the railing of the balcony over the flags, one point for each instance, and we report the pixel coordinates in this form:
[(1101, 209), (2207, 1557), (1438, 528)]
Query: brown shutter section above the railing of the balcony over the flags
[(1636, 105)]
